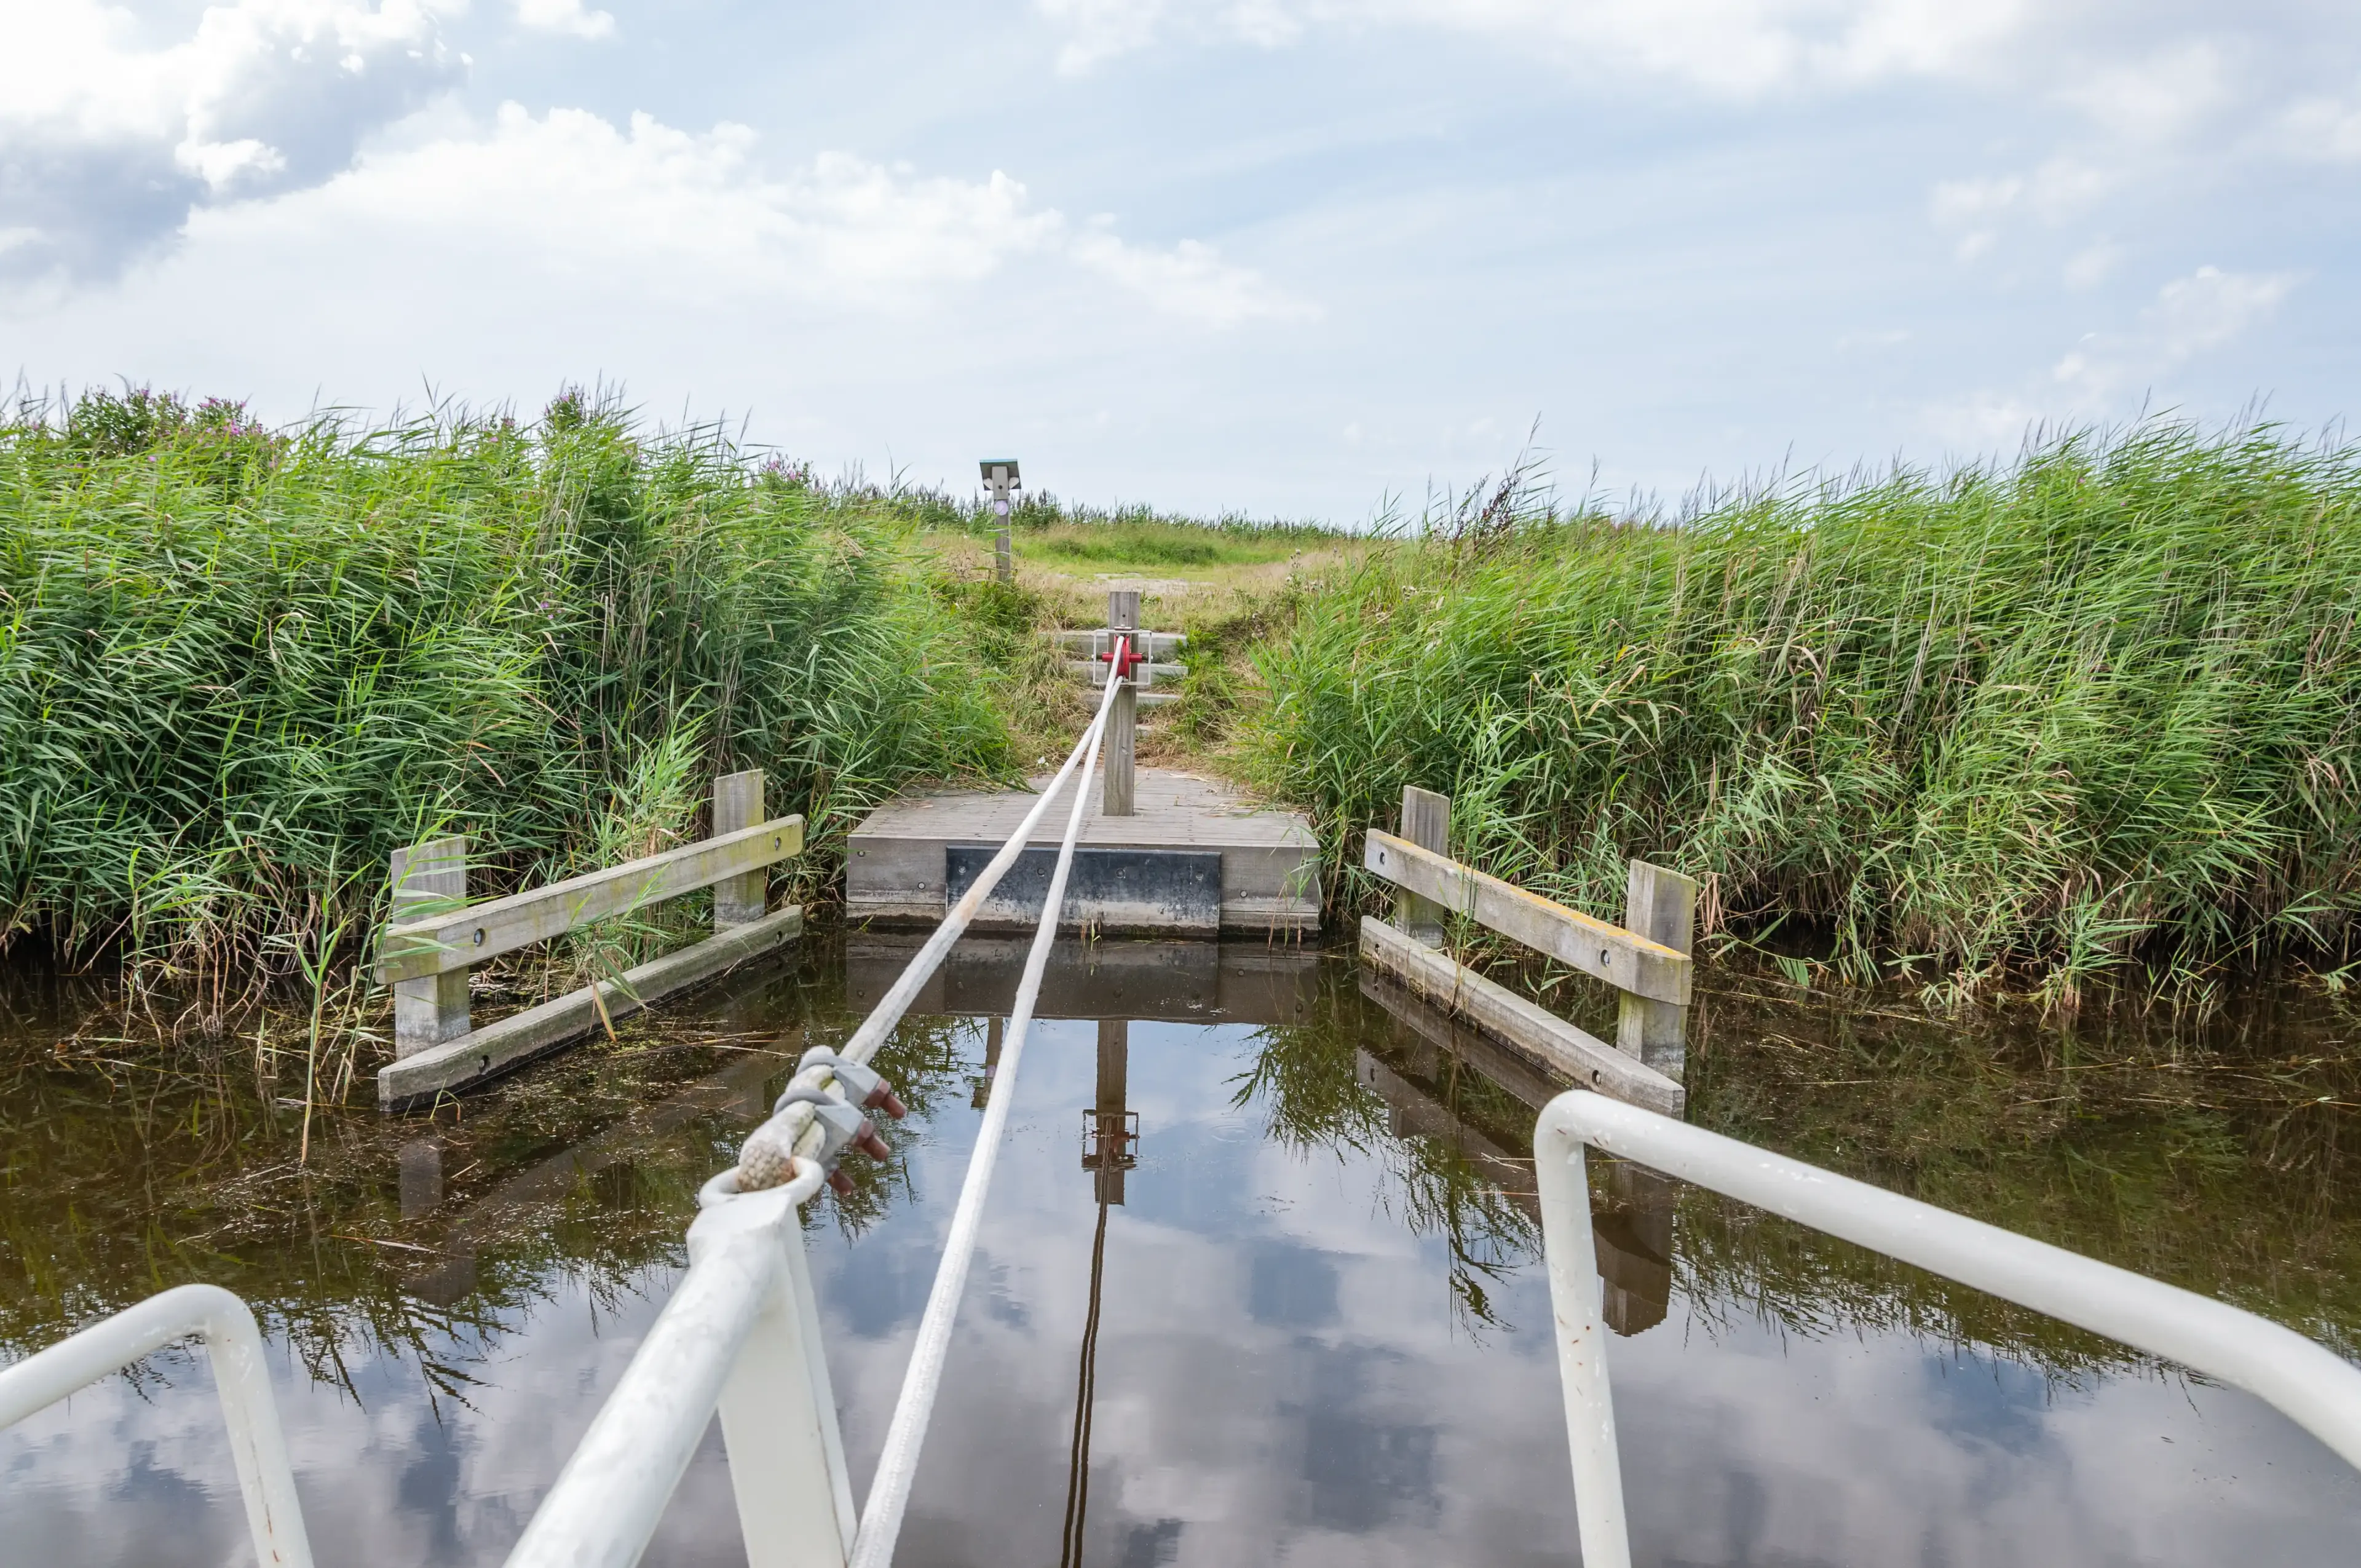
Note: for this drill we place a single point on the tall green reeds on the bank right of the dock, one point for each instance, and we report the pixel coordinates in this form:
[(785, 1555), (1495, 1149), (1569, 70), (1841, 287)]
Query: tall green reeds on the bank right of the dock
[(2086, 707)]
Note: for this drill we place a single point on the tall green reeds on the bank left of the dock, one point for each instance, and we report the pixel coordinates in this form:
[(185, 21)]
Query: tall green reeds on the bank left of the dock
[(240, 667)]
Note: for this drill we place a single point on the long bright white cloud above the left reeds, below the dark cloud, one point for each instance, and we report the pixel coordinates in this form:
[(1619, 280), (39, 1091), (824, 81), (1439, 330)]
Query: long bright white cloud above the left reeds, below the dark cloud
[(684, 214)]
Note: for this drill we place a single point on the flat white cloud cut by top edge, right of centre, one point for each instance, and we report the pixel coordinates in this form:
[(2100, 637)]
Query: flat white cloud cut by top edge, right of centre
[(1725, 46)]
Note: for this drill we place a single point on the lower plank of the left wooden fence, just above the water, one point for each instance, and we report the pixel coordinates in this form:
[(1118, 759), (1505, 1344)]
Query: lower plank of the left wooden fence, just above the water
[(521, 1038)]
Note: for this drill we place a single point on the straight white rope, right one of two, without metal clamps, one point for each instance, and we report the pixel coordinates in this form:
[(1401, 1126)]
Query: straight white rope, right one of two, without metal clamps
[(889, 1494)]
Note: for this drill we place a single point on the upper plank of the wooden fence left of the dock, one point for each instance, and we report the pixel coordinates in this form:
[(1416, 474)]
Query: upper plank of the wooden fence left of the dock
[(521, 920)]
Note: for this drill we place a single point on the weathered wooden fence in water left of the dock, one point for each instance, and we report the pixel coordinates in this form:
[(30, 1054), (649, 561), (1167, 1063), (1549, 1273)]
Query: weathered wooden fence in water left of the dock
[(436, 936)]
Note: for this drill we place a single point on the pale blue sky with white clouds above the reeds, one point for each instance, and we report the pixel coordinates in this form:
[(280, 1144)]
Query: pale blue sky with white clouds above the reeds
[(1304, 259)]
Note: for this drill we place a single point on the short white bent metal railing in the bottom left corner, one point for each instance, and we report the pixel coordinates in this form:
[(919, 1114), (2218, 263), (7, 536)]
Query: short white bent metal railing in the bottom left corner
[(244, 1385)]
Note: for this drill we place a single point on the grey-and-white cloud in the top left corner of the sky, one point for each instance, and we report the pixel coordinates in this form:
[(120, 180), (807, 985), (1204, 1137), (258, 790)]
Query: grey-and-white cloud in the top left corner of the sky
[(107, 145)]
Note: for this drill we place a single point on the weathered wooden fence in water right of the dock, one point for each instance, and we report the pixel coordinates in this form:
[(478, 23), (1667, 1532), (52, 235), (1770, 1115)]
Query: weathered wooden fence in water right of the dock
[(1647, 958)]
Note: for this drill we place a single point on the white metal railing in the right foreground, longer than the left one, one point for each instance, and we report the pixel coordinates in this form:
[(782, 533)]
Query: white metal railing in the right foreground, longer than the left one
[(2313, 1385)]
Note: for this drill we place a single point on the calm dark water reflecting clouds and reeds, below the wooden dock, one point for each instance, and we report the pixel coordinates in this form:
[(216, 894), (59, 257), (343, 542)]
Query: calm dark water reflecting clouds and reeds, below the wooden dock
[(1321, 1328)]
